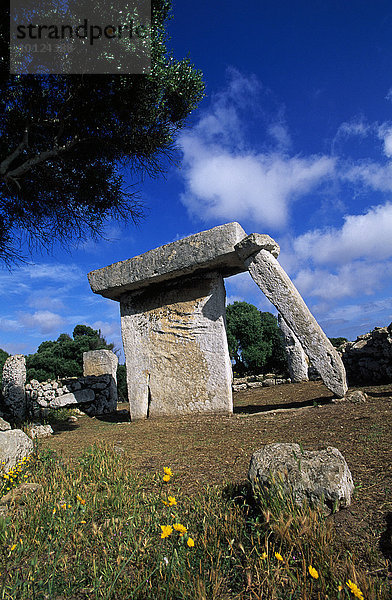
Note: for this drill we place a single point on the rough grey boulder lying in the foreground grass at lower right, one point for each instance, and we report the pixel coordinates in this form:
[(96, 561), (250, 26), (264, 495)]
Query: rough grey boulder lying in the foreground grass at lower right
[(319, 476)]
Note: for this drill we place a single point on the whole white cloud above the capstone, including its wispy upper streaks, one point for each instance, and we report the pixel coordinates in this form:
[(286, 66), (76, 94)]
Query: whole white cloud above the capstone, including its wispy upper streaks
[(228, 181)]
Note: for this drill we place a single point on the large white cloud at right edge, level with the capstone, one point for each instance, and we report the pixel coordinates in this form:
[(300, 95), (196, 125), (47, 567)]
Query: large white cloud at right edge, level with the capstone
[(366, 236)]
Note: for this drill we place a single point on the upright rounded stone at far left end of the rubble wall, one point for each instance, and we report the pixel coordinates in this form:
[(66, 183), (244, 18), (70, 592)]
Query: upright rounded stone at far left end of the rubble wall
[(13, 385)]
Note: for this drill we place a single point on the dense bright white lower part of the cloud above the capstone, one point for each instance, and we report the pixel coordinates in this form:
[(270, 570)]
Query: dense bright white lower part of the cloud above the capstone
[(253, 187)]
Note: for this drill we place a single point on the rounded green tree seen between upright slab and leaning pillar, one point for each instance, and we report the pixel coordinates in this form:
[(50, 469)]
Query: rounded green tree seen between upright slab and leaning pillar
[(254, 339)]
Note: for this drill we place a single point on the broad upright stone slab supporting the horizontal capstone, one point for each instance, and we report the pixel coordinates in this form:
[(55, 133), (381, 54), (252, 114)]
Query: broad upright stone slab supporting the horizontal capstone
[(176, 348)]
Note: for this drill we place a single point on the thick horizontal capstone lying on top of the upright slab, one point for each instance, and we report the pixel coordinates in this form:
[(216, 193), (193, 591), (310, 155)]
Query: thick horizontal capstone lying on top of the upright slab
[(211, 250)]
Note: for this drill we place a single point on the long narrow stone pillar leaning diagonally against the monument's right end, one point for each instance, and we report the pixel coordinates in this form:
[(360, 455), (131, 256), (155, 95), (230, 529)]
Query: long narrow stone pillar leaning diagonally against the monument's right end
[(279, 289)]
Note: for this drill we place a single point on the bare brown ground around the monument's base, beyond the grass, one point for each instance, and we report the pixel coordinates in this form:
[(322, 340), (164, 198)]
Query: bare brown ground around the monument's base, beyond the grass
[(217, 449)]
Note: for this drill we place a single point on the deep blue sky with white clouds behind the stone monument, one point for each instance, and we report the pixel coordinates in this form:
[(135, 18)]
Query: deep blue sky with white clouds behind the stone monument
[(293, 139)]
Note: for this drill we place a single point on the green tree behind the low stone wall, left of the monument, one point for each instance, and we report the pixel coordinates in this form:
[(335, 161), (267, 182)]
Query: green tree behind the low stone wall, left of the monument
[(64, 357)]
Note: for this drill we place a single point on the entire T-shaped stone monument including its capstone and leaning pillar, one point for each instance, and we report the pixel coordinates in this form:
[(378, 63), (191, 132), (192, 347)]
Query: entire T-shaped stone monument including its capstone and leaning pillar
[(173, 320)]
